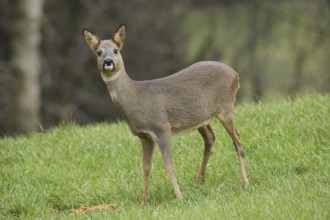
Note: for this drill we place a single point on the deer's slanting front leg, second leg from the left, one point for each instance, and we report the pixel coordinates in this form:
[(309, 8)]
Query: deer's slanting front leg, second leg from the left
[(164, 142)]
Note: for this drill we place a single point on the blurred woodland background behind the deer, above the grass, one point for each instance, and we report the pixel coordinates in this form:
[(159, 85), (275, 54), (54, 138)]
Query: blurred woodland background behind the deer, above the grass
[(48, 75)]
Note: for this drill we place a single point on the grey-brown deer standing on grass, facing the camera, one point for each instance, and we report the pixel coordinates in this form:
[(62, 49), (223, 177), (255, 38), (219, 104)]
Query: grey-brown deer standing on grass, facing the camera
[(157, 110)]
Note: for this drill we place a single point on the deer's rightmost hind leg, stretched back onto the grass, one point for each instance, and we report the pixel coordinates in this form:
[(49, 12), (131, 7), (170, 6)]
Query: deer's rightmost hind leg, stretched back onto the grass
[(227, 121)]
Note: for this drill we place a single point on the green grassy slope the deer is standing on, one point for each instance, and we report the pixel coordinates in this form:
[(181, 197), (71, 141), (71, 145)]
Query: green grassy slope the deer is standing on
[(48, 175)]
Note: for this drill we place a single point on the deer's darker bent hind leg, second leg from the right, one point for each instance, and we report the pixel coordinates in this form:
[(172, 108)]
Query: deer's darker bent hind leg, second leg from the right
[(209, 138)]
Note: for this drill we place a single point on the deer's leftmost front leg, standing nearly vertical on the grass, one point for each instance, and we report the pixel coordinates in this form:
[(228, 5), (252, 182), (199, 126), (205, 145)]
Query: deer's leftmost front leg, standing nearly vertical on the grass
[(148, 146)]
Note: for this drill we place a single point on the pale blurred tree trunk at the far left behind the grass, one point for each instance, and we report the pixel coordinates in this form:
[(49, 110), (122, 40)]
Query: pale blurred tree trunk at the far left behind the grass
[(26, 65)]
